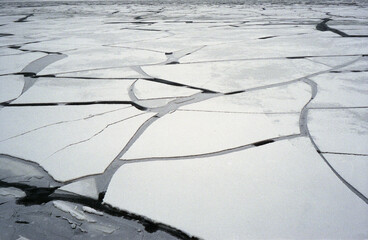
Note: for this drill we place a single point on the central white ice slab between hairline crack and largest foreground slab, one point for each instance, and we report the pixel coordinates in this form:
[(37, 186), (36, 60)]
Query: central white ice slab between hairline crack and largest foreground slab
[(191, 133)]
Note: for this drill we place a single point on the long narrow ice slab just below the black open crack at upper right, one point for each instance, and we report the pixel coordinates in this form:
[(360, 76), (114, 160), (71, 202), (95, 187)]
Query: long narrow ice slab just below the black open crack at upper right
[(292, 46)]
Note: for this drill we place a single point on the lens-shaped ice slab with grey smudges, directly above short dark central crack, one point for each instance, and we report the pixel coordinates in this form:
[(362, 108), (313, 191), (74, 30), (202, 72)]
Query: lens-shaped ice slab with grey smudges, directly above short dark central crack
[(235, 75)]
